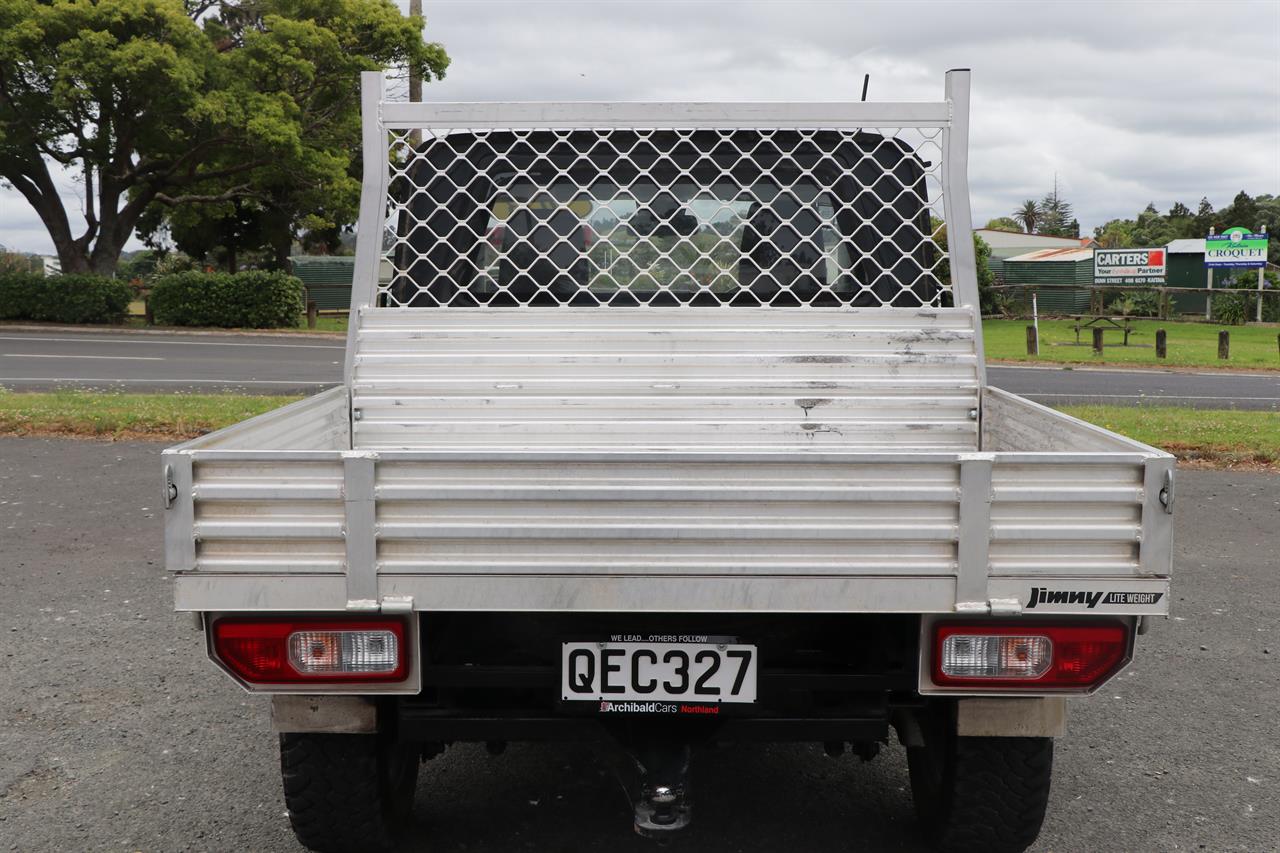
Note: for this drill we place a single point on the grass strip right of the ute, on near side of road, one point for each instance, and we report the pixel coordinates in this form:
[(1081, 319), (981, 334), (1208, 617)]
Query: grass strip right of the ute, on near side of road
[(1222, 437)]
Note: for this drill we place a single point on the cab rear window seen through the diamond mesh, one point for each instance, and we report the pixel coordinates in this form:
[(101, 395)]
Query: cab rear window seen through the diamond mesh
[(637, 243)]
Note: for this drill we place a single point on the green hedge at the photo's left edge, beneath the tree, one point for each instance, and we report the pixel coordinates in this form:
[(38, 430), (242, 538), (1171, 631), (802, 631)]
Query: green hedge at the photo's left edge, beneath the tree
[(63, 299)]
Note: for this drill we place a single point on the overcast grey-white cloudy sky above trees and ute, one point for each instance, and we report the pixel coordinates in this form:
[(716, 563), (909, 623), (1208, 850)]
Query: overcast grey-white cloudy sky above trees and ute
[(1126, 103)]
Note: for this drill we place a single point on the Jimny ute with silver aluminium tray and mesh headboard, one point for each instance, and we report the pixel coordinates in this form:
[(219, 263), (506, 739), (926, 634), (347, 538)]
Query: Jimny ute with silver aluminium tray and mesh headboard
[(668, 425)]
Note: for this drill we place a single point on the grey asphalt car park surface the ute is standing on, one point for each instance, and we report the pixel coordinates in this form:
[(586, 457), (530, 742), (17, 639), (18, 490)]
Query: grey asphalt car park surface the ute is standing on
[(116, 735)]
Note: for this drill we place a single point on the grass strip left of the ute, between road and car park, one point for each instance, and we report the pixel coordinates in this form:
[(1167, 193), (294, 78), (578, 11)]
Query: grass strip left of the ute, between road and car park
[(122, 416)]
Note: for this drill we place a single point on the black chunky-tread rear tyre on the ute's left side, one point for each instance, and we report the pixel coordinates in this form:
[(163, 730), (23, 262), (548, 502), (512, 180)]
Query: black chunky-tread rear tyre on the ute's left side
[(348, 793)]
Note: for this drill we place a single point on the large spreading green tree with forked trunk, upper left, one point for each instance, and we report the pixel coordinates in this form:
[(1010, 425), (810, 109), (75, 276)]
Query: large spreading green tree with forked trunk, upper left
[(163, 103)]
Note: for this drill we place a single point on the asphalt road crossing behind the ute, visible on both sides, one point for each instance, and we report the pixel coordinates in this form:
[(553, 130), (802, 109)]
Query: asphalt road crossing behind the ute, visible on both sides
[(292, 364)]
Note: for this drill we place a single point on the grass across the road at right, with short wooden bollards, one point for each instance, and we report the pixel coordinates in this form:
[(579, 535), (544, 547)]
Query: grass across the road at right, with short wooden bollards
[(1191, 345)]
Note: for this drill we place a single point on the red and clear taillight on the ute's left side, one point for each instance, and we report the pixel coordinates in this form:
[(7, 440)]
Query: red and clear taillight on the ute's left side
[(289, 651)]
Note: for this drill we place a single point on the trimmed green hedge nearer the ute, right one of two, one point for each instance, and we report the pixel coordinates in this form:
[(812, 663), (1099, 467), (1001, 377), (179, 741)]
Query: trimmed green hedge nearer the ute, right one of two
[(250, 300)]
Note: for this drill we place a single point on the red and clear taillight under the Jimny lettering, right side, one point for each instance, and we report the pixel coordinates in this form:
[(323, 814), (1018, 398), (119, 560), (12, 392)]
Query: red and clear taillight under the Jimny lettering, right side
[(1062, 658)]
